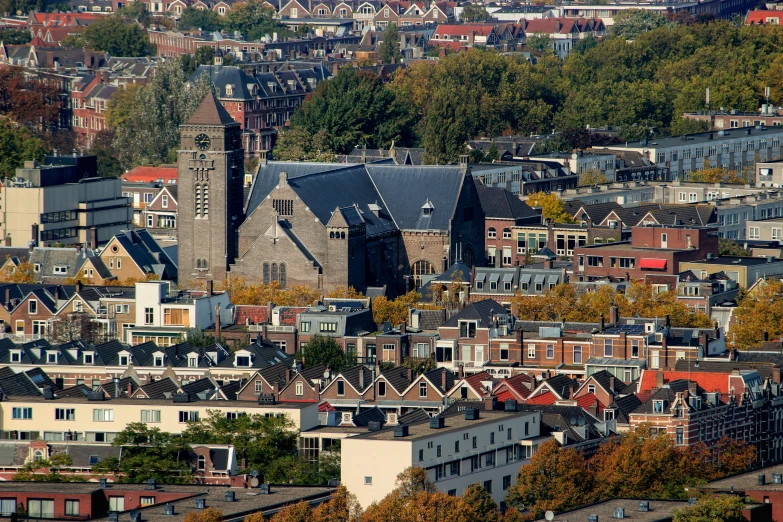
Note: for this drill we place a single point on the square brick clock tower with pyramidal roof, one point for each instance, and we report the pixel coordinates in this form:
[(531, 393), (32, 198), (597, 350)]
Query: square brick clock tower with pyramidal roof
[(211, 169)]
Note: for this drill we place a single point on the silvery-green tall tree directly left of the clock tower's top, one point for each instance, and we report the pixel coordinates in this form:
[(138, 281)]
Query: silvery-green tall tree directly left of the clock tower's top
[(146, 122)]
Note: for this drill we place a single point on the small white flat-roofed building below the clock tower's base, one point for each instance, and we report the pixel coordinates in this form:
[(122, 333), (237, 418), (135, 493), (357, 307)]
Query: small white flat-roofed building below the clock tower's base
[(163, 313)]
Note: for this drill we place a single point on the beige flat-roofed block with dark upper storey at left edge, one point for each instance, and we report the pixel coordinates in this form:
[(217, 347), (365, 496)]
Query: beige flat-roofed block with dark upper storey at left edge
[(63, 201)]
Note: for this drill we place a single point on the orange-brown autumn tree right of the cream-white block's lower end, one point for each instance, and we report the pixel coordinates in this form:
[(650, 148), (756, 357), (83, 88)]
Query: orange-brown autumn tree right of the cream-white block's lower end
[(556, 479)]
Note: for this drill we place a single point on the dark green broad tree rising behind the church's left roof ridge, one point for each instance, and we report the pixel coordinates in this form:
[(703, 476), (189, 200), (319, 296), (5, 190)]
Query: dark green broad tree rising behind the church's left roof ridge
[(355, 108)]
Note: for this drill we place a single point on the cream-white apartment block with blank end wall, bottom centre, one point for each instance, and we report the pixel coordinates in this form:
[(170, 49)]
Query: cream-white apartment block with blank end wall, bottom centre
[(457, 450)]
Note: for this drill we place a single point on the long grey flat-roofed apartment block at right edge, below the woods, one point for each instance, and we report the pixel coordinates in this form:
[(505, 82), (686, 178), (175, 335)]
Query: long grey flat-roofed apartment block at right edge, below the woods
[(734, 149)]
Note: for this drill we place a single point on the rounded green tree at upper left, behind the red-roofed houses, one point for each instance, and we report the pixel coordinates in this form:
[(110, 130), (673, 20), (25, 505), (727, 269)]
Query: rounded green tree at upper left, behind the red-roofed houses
[(114, 36)]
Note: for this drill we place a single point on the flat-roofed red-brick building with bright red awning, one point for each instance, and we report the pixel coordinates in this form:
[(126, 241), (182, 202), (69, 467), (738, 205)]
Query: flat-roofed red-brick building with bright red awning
[(652, 249)]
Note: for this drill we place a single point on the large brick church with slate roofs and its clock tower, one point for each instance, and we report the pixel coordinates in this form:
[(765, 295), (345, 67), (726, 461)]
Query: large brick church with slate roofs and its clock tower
[(322, 225)]
